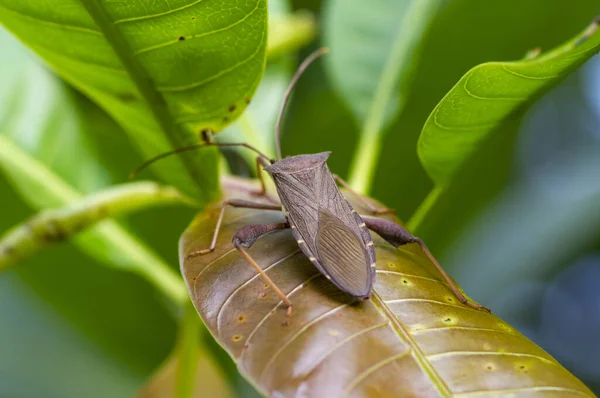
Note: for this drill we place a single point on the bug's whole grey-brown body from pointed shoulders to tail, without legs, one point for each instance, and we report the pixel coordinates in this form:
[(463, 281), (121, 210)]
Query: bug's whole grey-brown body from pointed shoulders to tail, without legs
[(328, 230)]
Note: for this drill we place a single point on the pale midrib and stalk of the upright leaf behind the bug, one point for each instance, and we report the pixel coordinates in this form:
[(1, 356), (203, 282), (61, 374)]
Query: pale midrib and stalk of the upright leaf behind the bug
[(396, 73)]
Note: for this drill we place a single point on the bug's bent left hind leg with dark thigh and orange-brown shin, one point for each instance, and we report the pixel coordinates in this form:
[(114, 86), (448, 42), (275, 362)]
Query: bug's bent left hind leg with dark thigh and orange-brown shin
[(245, 238)]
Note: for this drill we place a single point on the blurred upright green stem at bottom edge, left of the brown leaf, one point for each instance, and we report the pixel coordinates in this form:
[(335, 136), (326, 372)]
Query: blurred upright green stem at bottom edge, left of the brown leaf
[(188, 352)]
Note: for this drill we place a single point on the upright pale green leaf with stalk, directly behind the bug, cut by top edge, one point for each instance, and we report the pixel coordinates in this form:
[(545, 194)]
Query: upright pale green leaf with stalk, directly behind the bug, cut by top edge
[(374, 50)]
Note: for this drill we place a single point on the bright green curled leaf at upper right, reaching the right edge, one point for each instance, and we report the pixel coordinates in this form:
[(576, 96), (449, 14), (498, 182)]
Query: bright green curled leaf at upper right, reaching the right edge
[(488, 95)]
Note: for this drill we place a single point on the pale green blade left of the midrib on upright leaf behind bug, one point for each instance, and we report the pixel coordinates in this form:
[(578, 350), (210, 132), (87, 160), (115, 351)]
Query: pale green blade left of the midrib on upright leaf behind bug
[(362, 37)]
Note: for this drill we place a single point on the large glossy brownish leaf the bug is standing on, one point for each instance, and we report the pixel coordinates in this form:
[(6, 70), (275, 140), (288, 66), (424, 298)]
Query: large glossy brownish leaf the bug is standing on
[(412, 339)]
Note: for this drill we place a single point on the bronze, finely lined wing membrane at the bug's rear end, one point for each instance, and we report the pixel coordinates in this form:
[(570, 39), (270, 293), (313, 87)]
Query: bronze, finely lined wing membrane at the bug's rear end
[(342, 255)]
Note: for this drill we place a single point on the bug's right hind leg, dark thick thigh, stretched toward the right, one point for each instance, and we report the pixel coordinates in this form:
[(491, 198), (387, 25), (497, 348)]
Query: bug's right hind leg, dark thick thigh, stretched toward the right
[(398, 236)]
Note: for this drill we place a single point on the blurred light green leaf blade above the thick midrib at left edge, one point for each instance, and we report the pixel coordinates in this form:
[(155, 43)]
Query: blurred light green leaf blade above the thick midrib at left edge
[(44, 116)]
